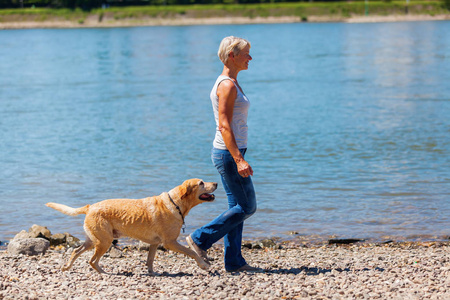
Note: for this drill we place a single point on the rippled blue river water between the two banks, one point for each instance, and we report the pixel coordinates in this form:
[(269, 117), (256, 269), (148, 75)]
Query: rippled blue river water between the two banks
[(349, 124)]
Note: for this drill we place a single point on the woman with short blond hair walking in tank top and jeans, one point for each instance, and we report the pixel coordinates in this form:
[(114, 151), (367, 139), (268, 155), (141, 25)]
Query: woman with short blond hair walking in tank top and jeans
[(230, 107)]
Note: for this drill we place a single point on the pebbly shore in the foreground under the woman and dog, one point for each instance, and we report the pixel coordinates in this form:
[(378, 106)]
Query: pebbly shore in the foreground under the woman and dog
[(360, 271)]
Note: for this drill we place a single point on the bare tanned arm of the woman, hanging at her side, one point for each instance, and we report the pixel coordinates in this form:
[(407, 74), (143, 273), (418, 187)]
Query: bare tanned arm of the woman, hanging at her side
[(227, 93)]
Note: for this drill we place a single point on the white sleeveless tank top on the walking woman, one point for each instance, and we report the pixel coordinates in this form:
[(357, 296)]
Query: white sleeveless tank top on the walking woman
[(239, 121)]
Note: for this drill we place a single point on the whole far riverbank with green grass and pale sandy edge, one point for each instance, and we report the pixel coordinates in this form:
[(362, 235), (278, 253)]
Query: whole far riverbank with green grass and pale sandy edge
[(352, 12)]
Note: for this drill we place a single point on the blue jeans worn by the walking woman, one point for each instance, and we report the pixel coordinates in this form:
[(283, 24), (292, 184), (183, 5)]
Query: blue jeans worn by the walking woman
[(241, 205)]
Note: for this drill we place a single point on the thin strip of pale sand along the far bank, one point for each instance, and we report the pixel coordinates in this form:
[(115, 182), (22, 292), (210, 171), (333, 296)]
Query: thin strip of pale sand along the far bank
[(92, 21)]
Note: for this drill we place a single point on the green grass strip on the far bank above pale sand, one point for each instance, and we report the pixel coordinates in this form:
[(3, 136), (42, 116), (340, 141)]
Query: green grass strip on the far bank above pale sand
[(300, 9)]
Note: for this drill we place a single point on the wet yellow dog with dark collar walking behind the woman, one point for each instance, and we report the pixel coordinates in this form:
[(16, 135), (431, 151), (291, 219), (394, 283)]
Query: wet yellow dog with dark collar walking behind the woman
[(154, 220)]
